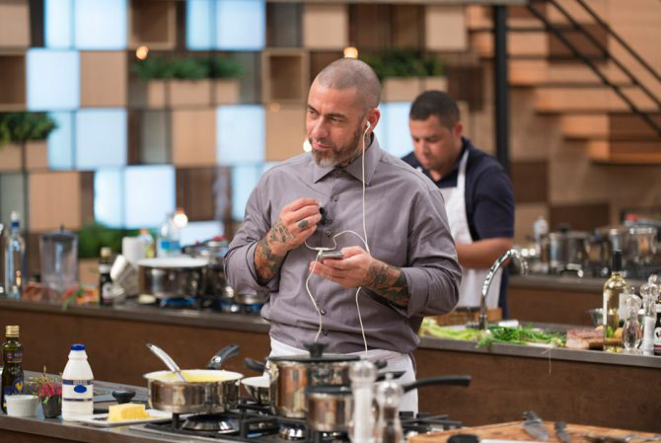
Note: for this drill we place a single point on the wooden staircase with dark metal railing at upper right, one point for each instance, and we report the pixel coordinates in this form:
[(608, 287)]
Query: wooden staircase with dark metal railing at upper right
[(604, 93)]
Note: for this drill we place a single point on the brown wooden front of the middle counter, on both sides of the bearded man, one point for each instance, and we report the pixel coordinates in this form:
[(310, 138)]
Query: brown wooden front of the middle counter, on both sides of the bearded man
[(560, 384)]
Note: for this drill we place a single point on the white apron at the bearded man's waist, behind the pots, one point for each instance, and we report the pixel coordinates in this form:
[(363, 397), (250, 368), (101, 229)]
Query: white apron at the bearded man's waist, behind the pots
[(396, 362)]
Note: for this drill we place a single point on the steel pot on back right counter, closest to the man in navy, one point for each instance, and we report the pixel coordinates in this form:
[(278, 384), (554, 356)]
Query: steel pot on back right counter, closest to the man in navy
[(568, 250)]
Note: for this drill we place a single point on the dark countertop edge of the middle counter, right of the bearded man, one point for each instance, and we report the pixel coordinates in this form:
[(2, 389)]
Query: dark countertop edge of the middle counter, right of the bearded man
[(547, 353)]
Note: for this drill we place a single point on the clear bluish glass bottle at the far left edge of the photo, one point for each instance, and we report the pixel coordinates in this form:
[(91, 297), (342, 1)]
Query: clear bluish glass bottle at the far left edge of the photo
[(15, 260)]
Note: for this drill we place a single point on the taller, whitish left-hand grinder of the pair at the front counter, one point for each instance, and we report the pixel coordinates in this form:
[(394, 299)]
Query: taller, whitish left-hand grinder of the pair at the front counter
[(363, 374)]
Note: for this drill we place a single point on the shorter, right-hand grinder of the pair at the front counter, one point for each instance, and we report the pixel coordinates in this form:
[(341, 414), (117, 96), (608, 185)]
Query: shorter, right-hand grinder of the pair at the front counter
[(389, 395)]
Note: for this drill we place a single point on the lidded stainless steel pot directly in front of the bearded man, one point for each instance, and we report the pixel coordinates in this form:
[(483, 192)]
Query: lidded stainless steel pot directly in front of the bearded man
[(289, 376)]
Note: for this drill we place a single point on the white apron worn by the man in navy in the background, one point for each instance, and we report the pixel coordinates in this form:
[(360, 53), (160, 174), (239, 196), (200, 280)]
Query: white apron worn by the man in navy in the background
[(472, 279)]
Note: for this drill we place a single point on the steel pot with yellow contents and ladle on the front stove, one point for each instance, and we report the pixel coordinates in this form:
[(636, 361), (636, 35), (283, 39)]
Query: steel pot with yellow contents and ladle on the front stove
[(208, 391)]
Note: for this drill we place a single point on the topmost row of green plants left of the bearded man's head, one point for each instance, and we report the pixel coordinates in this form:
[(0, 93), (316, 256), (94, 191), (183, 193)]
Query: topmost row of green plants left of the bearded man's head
[(187, 68)]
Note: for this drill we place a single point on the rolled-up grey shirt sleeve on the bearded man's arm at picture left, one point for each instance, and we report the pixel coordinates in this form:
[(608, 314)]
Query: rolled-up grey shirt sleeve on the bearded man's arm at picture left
[(240, 259)]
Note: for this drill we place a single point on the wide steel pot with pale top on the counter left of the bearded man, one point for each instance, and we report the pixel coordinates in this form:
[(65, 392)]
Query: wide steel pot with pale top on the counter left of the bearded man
[(172, 277)]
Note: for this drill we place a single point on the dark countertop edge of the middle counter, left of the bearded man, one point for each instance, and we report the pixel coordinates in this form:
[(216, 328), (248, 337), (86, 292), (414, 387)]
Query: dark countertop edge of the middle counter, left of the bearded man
[(134, 311)]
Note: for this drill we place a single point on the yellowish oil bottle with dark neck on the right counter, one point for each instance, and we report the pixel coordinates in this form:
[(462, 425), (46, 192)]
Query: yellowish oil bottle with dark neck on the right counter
[(614, 289)]
